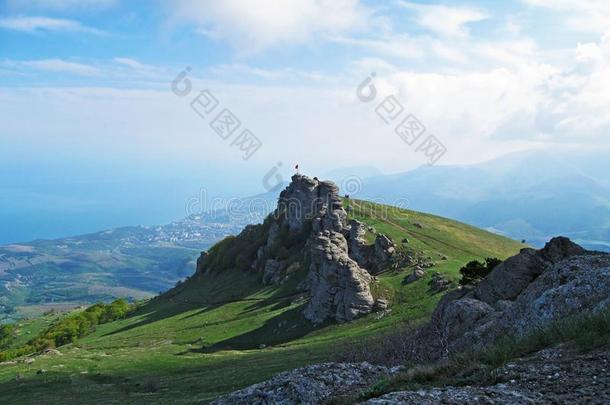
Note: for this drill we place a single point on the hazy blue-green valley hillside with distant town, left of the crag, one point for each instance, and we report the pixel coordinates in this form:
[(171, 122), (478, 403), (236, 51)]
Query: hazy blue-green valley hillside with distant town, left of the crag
[(129, 262)]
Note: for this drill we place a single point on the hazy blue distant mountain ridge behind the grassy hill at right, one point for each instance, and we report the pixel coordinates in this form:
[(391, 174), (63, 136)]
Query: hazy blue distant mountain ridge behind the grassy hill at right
[(529, 195)]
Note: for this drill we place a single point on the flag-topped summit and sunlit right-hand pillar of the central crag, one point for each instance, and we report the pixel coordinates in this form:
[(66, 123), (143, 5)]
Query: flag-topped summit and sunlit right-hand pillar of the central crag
[(338, 283)]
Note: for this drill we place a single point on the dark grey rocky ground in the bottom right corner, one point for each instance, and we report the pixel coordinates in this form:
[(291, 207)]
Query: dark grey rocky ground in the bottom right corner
[(551, 376)]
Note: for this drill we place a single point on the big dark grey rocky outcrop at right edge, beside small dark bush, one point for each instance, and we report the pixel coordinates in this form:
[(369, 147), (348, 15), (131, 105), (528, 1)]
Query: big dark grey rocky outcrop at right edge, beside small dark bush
[(525, 292)]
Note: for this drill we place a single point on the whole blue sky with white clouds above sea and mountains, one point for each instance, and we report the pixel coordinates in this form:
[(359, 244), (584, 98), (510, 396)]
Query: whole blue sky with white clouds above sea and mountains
[(97, 128)]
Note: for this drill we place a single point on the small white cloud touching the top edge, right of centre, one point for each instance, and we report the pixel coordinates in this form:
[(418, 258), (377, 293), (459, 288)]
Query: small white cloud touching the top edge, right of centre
[(445, 20)]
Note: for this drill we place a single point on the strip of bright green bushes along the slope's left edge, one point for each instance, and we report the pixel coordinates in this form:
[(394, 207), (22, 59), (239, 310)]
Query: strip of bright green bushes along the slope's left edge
[(70, 328)]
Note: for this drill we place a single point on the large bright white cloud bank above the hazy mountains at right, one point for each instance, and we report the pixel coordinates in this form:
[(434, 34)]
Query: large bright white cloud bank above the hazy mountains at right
[(508, 93)]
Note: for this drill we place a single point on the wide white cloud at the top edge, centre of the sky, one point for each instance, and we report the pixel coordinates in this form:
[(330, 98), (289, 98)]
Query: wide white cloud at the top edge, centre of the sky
[(259, 24)]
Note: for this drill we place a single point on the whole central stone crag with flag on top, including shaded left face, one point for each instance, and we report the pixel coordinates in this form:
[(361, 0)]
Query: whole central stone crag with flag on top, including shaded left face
[(310, 218)]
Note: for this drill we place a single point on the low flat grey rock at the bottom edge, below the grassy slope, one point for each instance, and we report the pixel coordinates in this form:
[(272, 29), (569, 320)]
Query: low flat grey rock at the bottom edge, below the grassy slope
[(309, 385)]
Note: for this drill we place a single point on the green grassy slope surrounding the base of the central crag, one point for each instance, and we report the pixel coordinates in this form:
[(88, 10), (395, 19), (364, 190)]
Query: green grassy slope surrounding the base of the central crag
[(205, 338)]
